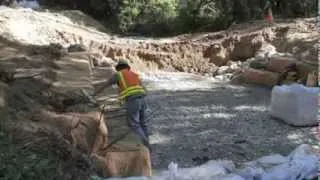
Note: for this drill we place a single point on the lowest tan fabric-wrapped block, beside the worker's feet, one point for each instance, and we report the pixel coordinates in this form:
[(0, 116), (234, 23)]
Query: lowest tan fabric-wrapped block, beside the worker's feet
[(124, 160)]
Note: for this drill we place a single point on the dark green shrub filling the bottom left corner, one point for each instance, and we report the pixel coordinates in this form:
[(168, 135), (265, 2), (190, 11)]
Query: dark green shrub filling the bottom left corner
[(37, 160)]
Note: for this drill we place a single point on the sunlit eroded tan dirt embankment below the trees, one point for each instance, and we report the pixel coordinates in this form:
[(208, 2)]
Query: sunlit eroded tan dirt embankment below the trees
[(201, 53)]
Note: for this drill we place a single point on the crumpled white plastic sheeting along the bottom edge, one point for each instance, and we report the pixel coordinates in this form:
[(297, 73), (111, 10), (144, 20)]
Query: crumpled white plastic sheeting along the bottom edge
[(301, 164)]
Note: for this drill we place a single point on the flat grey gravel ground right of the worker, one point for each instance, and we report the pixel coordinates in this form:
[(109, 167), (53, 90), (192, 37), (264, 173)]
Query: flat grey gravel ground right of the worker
[(197, 119)]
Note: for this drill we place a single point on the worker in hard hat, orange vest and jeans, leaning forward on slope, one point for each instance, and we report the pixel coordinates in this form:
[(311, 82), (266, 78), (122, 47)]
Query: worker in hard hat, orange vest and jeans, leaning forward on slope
[(132, 93)]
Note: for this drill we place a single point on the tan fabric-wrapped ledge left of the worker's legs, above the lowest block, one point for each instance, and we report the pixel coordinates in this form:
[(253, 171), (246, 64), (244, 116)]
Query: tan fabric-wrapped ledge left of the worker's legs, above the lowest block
[(85, 131)]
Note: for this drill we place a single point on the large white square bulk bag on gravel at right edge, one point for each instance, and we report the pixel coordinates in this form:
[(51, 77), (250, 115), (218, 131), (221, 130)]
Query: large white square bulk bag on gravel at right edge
[(295, 104)]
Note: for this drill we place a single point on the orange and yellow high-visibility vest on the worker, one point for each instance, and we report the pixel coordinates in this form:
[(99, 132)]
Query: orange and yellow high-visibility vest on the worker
[(129, 84)]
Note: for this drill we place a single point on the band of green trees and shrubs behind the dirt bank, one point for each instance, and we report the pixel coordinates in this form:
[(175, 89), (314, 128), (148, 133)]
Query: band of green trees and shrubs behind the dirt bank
[(166, 17)]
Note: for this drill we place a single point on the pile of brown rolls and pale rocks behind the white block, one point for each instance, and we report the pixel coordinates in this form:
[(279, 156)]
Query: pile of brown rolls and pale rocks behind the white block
[(269, 67)]
